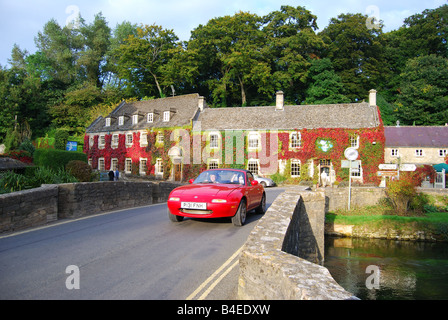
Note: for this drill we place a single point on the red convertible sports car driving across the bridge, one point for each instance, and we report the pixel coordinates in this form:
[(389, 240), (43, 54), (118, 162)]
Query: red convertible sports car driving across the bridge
[(218, 193)]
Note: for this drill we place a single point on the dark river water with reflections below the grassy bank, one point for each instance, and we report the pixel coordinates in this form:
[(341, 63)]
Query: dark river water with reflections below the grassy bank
[(408, 270)]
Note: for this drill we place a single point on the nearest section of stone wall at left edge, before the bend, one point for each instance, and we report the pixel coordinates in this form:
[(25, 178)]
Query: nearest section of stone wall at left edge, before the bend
[(28, 208)]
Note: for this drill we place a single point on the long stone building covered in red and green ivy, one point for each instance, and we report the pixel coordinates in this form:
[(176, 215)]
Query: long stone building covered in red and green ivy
[(175, 138)]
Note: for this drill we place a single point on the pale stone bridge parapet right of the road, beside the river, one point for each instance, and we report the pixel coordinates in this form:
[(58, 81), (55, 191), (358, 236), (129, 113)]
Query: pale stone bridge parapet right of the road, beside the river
[(269, 273)]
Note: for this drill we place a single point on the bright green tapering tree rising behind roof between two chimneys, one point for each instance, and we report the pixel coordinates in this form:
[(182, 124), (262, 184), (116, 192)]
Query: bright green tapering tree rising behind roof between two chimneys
[(326, 86)]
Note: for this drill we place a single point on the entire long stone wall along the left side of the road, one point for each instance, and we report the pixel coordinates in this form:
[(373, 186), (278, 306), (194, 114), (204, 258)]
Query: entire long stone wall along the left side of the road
[(39, 206)]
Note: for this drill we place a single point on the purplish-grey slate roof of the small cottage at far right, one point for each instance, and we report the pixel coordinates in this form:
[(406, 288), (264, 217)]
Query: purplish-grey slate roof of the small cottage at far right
[(403, 136)]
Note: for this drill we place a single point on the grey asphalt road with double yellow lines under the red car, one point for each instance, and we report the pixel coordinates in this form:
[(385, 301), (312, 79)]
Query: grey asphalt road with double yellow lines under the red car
[(125, 255)]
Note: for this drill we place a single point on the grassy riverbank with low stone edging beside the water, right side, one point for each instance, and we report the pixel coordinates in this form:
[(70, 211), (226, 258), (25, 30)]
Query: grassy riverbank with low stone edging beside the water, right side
[(379, 222)]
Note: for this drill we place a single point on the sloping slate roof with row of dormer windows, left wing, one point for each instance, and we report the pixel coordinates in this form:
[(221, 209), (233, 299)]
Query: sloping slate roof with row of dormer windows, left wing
[(182, 110)]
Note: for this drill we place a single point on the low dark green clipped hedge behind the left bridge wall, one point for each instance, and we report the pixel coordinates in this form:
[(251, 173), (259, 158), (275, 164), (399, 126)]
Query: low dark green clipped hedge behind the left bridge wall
[(56, 159)]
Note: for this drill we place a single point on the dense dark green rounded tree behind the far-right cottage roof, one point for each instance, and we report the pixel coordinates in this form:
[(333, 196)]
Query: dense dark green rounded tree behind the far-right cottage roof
[(424, 91)]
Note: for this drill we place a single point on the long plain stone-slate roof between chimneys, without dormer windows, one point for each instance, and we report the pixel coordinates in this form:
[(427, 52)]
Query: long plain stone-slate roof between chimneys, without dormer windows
[(350, 116)]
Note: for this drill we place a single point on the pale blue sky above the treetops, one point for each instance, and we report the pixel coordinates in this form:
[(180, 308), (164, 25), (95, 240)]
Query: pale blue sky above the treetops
[(21, 20)]
